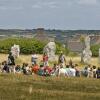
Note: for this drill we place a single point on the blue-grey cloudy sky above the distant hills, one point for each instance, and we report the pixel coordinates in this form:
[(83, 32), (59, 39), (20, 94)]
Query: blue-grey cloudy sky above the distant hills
[(50, 14)]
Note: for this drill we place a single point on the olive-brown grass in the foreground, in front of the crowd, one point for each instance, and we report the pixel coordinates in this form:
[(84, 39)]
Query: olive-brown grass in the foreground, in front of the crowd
[(21, 87)]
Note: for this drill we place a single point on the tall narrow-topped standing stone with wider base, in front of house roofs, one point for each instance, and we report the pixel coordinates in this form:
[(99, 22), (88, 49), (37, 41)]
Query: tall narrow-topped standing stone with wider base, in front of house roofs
[(87, 54)]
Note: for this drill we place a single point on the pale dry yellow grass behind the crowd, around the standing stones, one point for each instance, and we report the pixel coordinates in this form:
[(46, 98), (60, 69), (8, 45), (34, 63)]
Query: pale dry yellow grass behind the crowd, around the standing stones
[(27, 58)]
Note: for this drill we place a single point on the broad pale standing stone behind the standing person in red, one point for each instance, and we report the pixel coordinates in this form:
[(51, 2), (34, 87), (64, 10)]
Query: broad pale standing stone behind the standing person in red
[(50, 50)]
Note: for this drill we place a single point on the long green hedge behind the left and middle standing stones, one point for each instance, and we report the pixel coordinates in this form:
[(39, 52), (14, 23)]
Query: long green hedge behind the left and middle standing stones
[(27, 46)]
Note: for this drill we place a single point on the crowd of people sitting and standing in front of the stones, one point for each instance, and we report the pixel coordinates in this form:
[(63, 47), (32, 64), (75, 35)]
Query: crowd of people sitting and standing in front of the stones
[(43, 69)]
